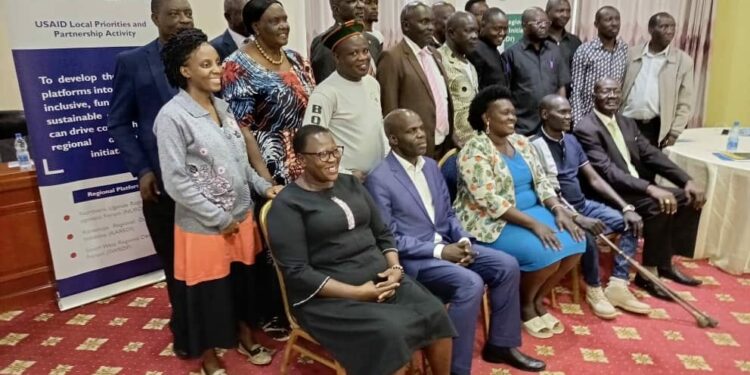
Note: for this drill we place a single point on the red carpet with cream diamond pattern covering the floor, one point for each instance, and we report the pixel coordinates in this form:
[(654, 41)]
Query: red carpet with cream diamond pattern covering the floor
[(128, 334)]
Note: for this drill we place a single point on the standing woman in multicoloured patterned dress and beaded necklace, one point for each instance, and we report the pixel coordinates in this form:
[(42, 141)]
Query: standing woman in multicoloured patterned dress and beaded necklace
[(267, 87)]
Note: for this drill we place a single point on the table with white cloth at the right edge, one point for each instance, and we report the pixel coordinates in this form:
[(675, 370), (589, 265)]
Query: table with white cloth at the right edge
[(724, 230)]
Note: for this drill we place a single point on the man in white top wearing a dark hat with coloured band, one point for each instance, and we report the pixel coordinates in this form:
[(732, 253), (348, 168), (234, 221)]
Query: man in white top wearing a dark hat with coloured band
[(348, 101)]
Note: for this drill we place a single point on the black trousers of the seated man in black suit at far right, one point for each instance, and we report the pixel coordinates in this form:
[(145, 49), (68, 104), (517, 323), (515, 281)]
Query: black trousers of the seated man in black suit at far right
[(666, 235)]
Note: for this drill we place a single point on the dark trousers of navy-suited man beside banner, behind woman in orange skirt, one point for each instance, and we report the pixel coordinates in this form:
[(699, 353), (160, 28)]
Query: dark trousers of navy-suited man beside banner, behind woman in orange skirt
[(160, 223)]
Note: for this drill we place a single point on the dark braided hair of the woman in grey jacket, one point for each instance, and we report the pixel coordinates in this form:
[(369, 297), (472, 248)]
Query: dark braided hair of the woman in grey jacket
[(177, 51)]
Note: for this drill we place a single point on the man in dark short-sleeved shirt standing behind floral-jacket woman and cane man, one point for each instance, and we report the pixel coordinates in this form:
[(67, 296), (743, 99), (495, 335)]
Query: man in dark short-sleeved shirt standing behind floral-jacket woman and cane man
[(534, 68)]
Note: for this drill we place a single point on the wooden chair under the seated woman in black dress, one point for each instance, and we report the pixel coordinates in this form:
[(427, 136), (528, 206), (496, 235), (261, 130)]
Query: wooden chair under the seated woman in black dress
[(297, 332)]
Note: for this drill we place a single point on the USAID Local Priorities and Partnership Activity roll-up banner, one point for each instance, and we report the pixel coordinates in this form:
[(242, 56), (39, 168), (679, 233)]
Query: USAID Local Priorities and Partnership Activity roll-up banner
[(64, 52)]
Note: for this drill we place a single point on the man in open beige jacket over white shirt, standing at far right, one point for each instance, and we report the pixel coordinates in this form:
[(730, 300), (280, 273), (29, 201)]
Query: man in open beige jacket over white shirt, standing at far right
[(658, 84)]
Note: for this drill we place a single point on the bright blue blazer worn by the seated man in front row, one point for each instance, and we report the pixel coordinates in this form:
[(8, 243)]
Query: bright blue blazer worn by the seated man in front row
[(403, 211)]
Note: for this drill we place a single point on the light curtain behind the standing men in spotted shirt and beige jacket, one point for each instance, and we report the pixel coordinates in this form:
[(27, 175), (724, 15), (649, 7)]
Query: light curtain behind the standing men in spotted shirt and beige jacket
[(693, 33)]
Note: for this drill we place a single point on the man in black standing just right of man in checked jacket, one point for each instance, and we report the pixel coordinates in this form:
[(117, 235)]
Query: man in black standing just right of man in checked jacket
[(485, 57)]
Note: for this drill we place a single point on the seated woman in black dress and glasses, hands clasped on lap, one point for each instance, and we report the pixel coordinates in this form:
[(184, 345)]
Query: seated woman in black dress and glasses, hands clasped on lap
[(342, 272)]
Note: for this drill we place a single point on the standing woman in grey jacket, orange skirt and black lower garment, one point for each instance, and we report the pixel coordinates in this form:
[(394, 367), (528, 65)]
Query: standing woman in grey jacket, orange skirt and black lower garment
[(205, 170)]
